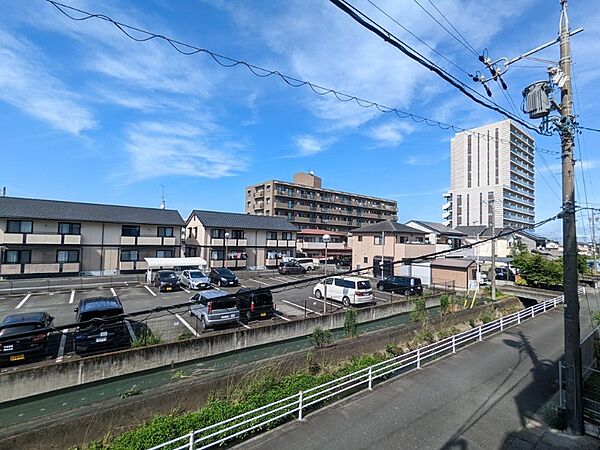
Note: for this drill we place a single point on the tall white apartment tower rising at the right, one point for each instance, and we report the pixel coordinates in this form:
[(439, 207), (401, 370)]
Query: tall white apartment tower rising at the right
[(491, 167)]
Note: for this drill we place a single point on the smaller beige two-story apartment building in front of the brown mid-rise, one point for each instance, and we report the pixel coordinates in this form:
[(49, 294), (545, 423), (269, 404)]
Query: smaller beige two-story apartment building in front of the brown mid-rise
[(239, 241)]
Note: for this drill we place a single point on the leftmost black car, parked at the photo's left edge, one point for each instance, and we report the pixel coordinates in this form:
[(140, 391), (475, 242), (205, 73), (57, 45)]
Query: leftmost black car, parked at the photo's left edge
[(27, 347)]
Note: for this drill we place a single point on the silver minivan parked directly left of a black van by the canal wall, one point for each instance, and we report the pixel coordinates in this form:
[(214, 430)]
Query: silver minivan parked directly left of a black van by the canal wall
[(212, 311)]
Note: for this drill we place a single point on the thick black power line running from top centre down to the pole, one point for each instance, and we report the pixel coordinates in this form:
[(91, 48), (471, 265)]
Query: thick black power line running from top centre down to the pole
[(388, 37)]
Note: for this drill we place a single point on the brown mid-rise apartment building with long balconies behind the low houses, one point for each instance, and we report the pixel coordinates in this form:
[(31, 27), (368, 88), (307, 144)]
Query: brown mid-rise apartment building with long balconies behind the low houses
[(309, 206)]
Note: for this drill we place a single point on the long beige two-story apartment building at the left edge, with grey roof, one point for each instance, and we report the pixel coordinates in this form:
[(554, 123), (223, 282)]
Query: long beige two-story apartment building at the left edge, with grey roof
[(48, 237)]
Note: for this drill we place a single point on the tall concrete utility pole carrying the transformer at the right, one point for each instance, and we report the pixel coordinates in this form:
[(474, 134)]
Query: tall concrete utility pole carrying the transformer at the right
[(573, 380)]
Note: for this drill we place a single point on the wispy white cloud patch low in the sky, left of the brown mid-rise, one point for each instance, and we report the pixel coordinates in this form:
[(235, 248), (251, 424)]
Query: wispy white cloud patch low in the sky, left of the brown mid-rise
[(180, 149)]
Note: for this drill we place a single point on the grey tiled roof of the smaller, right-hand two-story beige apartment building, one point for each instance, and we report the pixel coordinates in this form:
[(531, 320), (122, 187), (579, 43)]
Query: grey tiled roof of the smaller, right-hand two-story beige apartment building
[(216, 219)]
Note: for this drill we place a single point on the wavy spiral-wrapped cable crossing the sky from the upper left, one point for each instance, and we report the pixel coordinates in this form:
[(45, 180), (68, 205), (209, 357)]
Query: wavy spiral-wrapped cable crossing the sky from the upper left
[(261, 72)]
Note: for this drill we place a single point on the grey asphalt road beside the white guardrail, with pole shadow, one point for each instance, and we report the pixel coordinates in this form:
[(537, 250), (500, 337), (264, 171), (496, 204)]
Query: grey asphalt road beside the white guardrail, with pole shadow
[(475, 399)]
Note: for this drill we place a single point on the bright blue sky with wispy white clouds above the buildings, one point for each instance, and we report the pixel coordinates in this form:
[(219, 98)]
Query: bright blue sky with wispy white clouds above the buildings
[(89, 115)]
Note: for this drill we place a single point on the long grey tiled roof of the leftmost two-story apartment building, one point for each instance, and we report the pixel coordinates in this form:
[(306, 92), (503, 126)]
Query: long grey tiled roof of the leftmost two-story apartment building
[(29, 208)]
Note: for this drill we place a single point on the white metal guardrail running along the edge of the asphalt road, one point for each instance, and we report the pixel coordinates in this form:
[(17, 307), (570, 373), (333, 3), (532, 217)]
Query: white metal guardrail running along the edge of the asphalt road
[(218, 433)]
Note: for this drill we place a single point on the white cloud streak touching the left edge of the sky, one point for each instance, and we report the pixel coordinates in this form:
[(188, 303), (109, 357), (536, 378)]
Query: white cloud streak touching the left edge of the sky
[(27, 84)]
